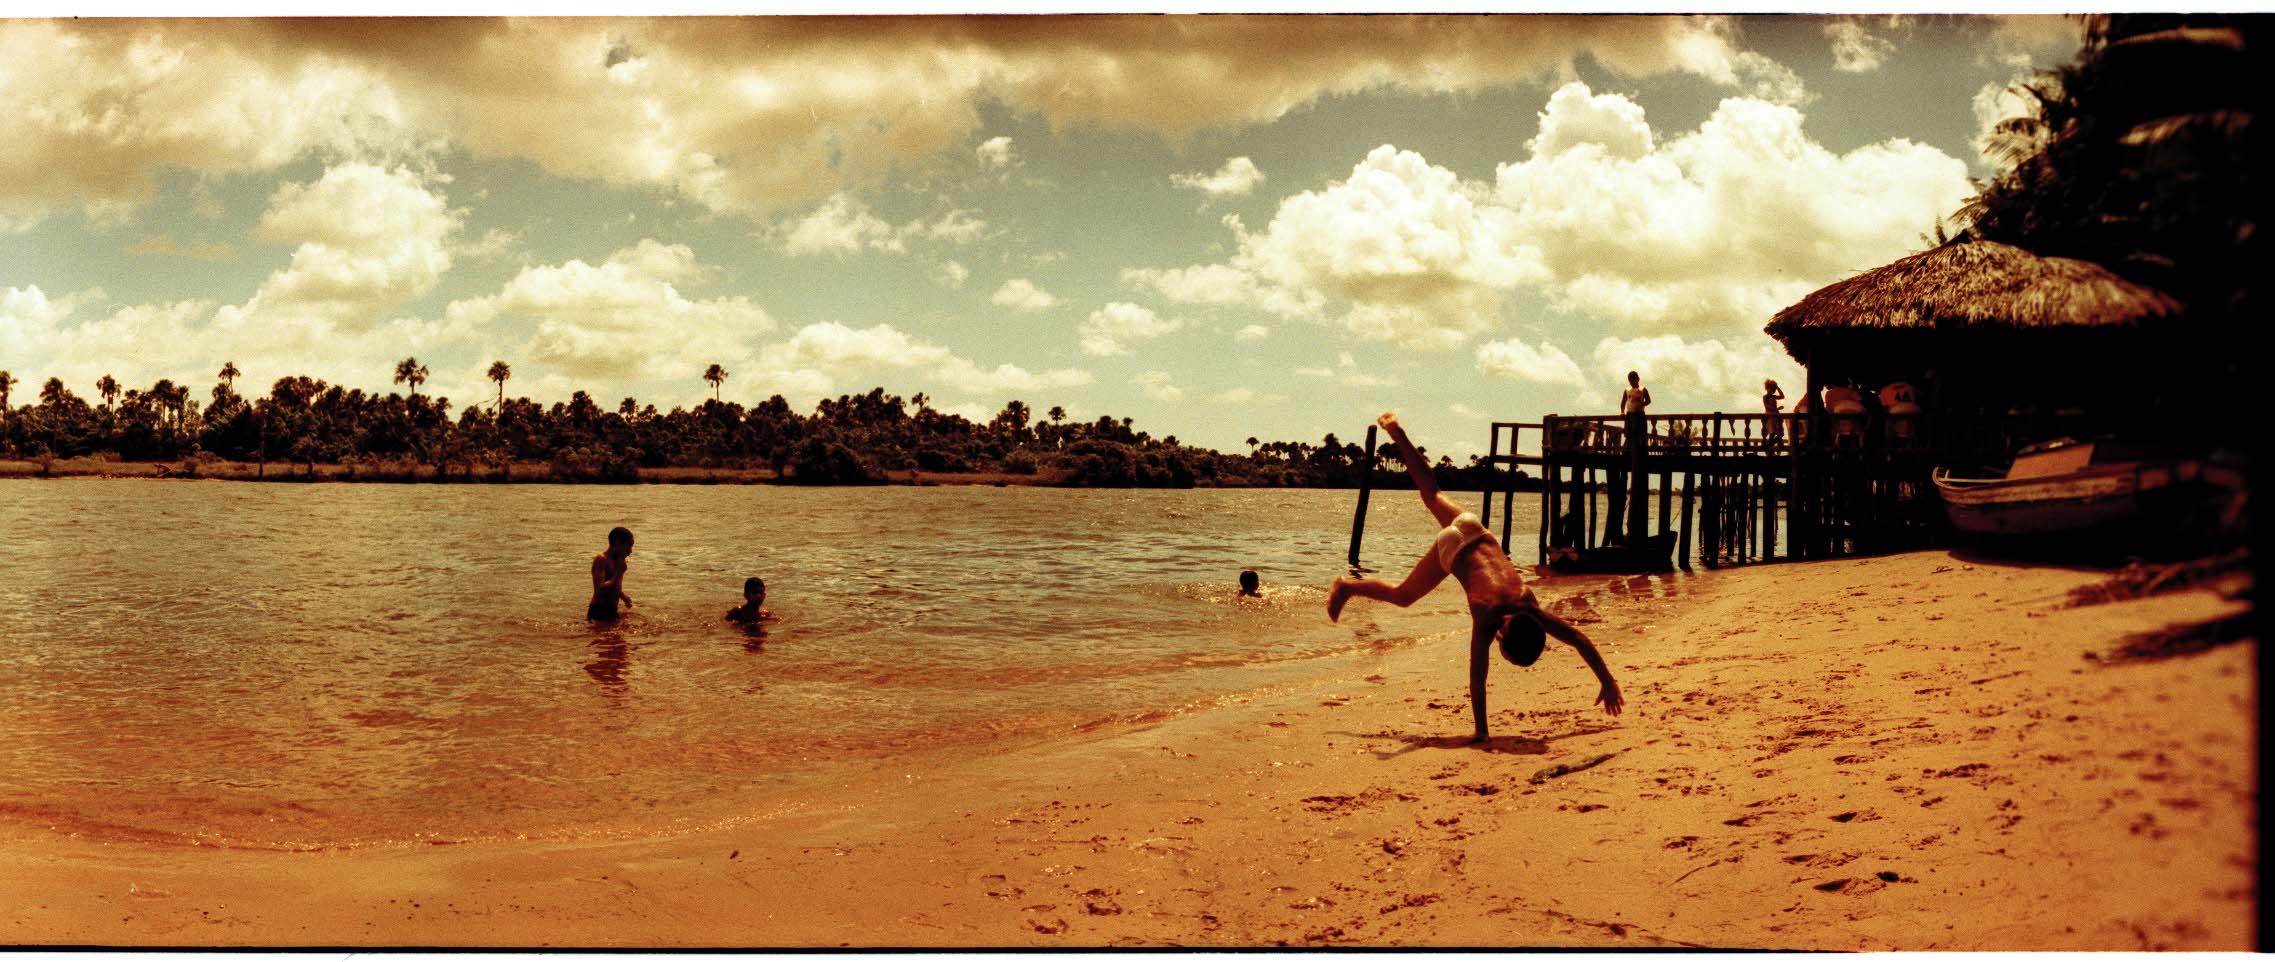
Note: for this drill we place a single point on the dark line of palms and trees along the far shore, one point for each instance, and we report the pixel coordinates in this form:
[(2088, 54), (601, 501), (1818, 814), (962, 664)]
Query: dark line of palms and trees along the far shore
[(847, 440)]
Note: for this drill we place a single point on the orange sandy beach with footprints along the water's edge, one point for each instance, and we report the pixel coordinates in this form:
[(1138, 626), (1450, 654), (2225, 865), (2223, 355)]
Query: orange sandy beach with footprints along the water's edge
[(1880, 754)]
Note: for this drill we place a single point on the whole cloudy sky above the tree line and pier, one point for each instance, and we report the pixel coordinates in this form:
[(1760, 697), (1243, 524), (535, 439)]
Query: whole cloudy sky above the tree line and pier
[(1218, 226)]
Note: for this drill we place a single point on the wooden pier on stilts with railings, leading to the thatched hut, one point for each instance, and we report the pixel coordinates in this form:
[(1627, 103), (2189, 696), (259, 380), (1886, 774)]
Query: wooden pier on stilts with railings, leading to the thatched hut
[(1739, 488)]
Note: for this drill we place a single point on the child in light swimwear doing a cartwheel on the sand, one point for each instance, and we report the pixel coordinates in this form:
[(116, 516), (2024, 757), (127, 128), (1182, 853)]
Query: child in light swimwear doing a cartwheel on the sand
[(1500, 606)]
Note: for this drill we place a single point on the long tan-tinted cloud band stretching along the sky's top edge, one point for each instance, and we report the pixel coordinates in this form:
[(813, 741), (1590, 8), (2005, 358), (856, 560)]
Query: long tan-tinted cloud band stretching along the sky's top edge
[(750, 115)]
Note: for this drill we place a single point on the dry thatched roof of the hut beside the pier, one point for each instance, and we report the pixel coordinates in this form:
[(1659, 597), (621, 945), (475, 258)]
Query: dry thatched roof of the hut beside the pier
[(1976, 285)]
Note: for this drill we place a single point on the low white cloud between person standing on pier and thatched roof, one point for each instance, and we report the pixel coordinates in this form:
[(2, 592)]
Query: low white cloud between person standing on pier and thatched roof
[(1705, 374)]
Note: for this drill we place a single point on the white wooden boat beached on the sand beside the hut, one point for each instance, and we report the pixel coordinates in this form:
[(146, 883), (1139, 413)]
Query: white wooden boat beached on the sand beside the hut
[(2071, 488)]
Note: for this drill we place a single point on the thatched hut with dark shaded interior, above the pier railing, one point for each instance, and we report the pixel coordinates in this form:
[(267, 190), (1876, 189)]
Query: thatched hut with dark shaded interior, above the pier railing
[(1992, 329)]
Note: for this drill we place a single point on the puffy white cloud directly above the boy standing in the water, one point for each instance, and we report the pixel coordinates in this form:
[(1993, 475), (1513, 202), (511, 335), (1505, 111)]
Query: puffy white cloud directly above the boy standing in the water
[(624, 317)]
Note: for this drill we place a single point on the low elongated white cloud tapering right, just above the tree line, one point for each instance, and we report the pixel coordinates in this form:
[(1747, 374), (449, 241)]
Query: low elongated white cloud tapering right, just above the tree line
[(820, 356)]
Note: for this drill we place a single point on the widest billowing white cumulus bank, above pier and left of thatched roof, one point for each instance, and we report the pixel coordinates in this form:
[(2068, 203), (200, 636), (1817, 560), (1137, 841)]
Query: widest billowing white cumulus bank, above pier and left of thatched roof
[(1705, 231)]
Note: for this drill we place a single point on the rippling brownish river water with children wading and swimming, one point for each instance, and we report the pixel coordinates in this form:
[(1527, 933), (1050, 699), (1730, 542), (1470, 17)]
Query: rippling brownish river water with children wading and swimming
[(347, 665)]
